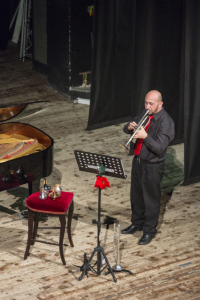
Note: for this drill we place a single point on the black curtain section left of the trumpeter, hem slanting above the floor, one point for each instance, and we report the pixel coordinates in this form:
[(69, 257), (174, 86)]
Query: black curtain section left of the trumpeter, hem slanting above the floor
[(111, 88)]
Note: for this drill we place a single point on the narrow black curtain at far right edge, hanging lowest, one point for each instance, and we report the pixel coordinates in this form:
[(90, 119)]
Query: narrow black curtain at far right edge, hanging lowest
[(192, 93)]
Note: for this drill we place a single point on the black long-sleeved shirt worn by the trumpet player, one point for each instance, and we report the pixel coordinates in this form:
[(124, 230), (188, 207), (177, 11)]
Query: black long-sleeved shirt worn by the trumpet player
[(160, 134)]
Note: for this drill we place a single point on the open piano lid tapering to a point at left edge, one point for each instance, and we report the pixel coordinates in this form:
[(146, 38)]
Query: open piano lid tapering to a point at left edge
[(20, 111)]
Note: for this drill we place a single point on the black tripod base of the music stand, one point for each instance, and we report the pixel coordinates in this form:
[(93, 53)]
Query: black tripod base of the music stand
[(87, 267)]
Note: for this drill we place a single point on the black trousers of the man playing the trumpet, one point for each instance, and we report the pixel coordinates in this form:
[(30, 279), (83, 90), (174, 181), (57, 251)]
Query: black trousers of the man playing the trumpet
[(145, 195)]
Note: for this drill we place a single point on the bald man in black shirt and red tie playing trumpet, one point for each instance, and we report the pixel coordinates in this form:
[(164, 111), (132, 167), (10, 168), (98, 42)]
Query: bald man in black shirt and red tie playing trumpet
[(148, 166)]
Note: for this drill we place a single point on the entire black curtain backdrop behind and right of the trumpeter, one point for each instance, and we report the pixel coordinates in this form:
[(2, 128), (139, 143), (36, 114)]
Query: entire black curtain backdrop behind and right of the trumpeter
[(145, 45)]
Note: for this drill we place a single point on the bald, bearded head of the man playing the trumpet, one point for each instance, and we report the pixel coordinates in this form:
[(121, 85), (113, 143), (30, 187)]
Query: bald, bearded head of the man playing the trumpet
[(153, 102)]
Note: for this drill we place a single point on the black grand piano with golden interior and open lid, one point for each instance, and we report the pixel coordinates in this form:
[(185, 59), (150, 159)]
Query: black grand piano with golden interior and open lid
[(26, 153)]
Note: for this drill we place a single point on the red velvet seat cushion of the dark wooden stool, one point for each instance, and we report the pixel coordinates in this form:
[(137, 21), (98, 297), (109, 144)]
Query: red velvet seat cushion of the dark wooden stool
[(48, 205)]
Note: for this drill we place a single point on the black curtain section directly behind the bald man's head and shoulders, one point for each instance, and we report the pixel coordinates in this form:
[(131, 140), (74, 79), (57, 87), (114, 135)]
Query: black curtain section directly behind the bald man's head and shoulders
[(159, 57)]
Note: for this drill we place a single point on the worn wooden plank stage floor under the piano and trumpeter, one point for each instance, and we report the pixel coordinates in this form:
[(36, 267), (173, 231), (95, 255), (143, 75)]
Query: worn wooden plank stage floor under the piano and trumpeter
[(167, 268)]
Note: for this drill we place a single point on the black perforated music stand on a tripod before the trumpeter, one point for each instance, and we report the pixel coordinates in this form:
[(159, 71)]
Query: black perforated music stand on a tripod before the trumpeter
[(103, 165)]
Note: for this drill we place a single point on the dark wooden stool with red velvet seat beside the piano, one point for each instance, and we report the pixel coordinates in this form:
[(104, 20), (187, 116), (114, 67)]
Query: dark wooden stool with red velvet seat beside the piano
[(49, 207)]
